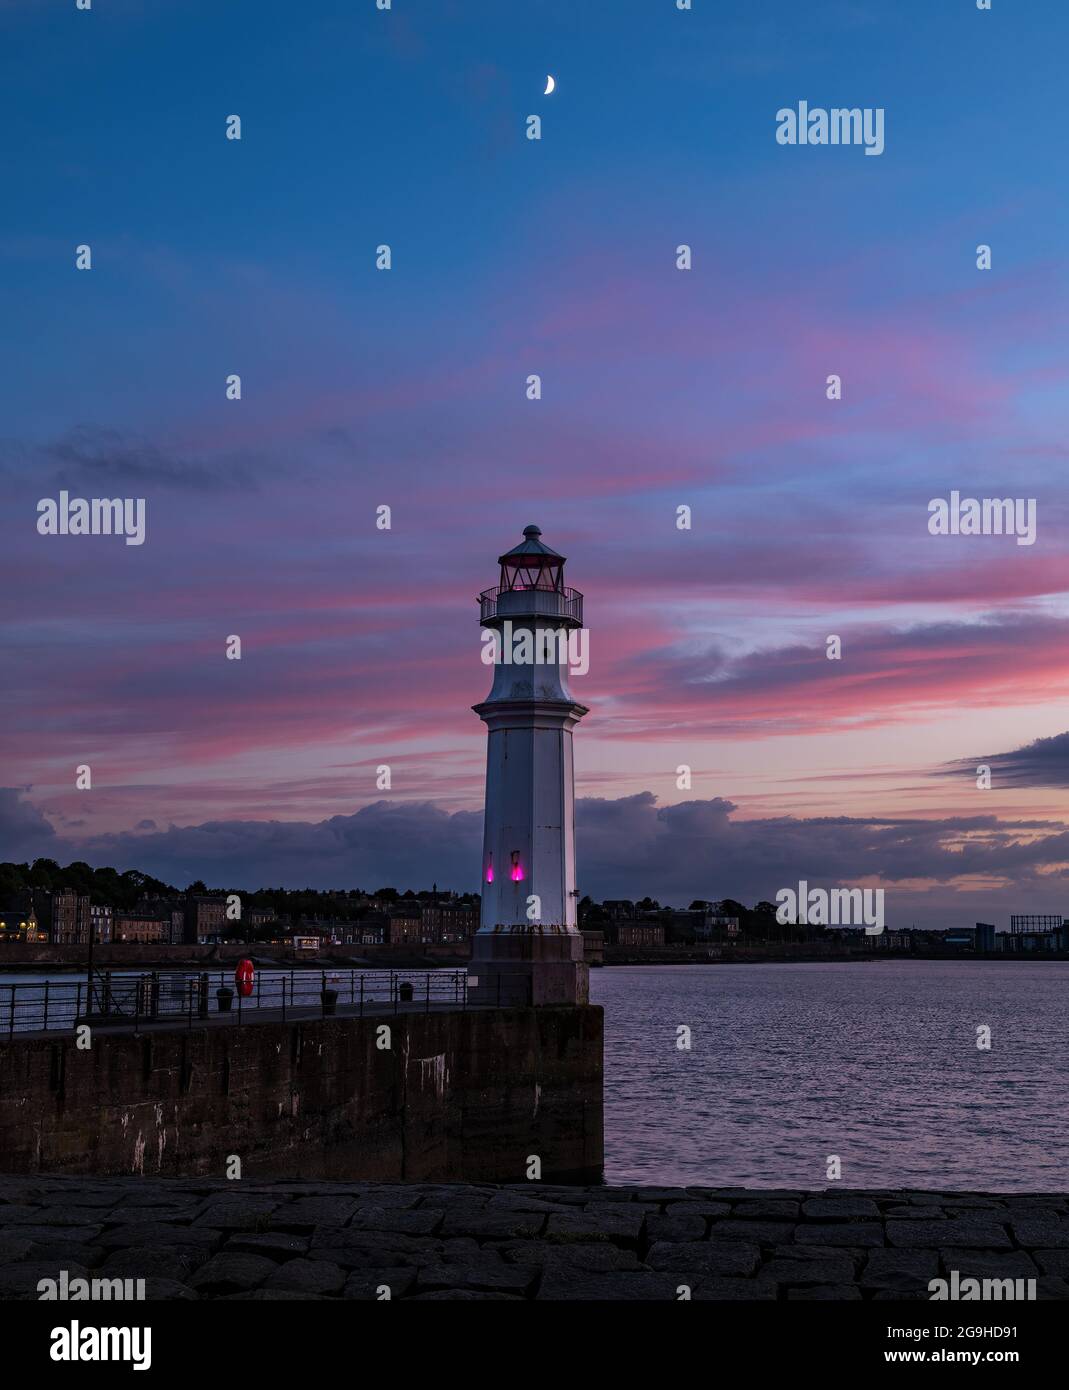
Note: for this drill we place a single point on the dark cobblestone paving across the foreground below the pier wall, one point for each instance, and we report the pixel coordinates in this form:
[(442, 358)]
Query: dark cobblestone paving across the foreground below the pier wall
[(204, 1239)]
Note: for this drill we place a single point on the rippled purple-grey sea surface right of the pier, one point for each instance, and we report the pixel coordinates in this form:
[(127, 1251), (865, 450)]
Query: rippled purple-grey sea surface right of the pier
[(875, 1063)]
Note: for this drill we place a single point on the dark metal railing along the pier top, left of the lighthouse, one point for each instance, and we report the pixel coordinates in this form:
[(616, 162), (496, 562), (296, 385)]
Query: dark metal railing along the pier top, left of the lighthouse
[(174, 997)]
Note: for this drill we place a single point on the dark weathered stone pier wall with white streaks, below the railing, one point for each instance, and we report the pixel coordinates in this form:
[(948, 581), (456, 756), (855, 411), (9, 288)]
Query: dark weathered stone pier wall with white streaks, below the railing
[(455, 1096)]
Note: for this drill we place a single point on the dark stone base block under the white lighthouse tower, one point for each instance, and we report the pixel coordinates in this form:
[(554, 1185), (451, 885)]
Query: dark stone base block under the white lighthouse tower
[(528, 965)]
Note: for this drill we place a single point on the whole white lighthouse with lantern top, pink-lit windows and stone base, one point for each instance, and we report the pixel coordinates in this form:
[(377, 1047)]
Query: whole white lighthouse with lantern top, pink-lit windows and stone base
[(529, 947)]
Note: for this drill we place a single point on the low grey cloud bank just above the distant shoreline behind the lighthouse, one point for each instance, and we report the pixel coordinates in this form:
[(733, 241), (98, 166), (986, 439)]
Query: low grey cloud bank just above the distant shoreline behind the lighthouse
[(628, 849)]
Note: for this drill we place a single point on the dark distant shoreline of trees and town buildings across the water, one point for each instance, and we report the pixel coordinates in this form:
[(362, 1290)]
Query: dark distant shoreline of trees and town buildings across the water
[(322, 921)]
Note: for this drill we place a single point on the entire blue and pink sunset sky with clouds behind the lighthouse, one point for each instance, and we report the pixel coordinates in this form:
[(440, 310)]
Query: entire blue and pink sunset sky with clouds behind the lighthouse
[(661, 389)]
